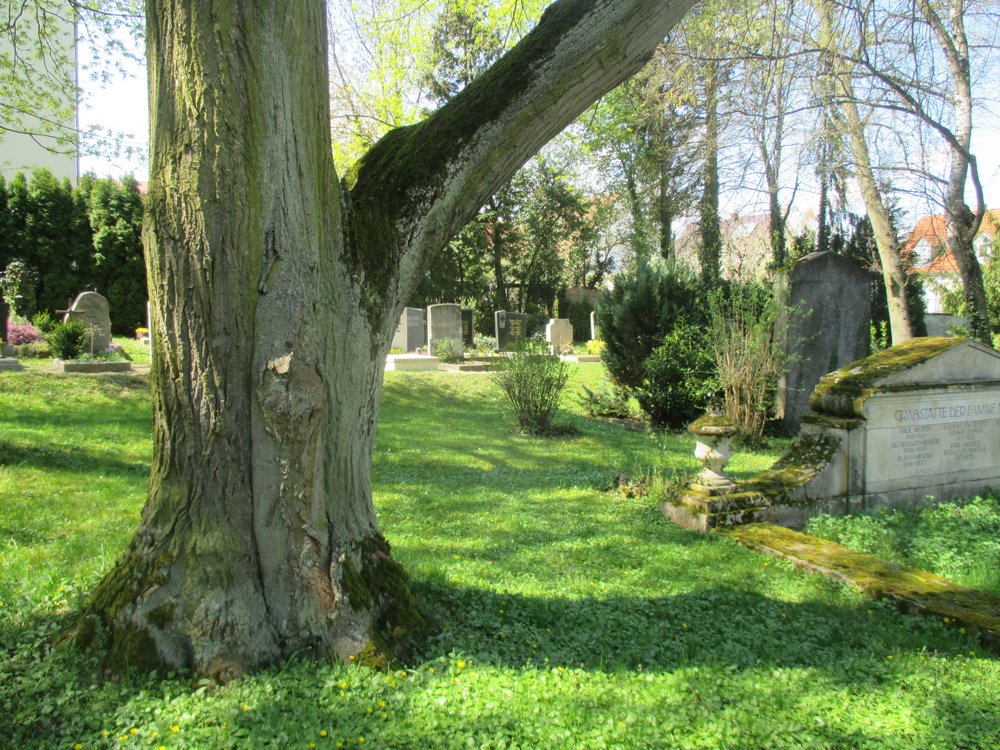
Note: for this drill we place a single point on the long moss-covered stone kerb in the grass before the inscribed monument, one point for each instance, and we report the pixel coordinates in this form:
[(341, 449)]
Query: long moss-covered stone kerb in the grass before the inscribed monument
[(914, 591)]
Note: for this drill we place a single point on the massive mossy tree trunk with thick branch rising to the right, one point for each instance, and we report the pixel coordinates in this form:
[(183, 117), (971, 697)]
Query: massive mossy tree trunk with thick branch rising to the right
[(276, 289)]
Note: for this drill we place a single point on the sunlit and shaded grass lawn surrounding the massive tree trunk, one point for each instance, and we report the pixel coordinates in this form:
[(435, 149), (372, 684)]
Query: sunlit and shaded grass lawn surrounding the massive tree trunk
[(570, 617)]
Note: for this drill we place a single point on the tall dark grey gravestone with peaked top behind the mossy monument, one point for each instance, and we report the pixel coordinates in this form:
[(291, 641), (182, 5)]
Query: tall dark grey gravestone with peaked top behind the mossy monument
[(830, 300)]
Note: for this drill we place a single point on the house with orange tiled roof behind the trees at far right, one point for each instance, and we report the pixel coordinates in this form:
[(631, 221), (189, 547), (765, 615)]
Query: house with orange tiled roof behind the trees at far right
[(936, 264)]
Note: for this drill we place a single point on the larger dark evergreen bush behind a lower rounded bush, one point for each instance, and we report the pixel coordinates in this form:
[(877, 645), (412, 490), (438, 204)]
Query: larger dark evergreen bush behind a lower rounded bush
[(640, 310)]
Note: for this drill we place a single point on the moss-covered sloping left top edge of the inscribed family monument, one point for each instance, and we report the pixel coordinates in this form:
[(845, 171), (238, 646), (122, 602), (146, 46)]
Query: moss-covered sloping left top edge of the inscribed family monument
[(843, 393)]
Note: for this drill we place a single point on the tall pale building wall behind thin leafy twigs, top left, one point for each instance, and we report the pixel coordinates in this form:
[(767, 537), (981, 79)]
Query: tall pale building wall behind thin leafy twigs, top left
[(37, 146)]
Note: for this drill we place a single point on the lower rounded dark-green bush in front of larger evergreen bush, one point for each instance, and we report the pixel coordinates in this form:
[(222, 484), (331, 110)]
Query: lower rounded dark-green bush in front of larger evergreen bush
[(680, 378)]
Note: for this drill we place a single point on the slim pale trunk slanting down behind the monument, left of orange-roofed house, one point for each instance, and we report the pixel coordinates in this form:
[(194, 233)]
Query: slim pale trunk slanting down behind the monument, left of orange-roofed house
[(893, 273)]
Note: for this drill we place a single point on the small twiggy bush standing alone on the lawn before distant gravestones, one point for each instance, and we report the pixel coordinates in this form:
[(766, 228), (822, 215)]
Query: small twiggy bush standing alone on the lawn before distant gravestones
[(531, 382)]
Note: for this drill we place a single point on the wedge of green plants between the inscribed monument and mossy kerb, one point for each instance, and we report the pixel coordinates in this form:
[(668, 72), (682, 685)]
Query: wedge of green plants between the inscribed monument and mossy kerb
[(958, 541)]
